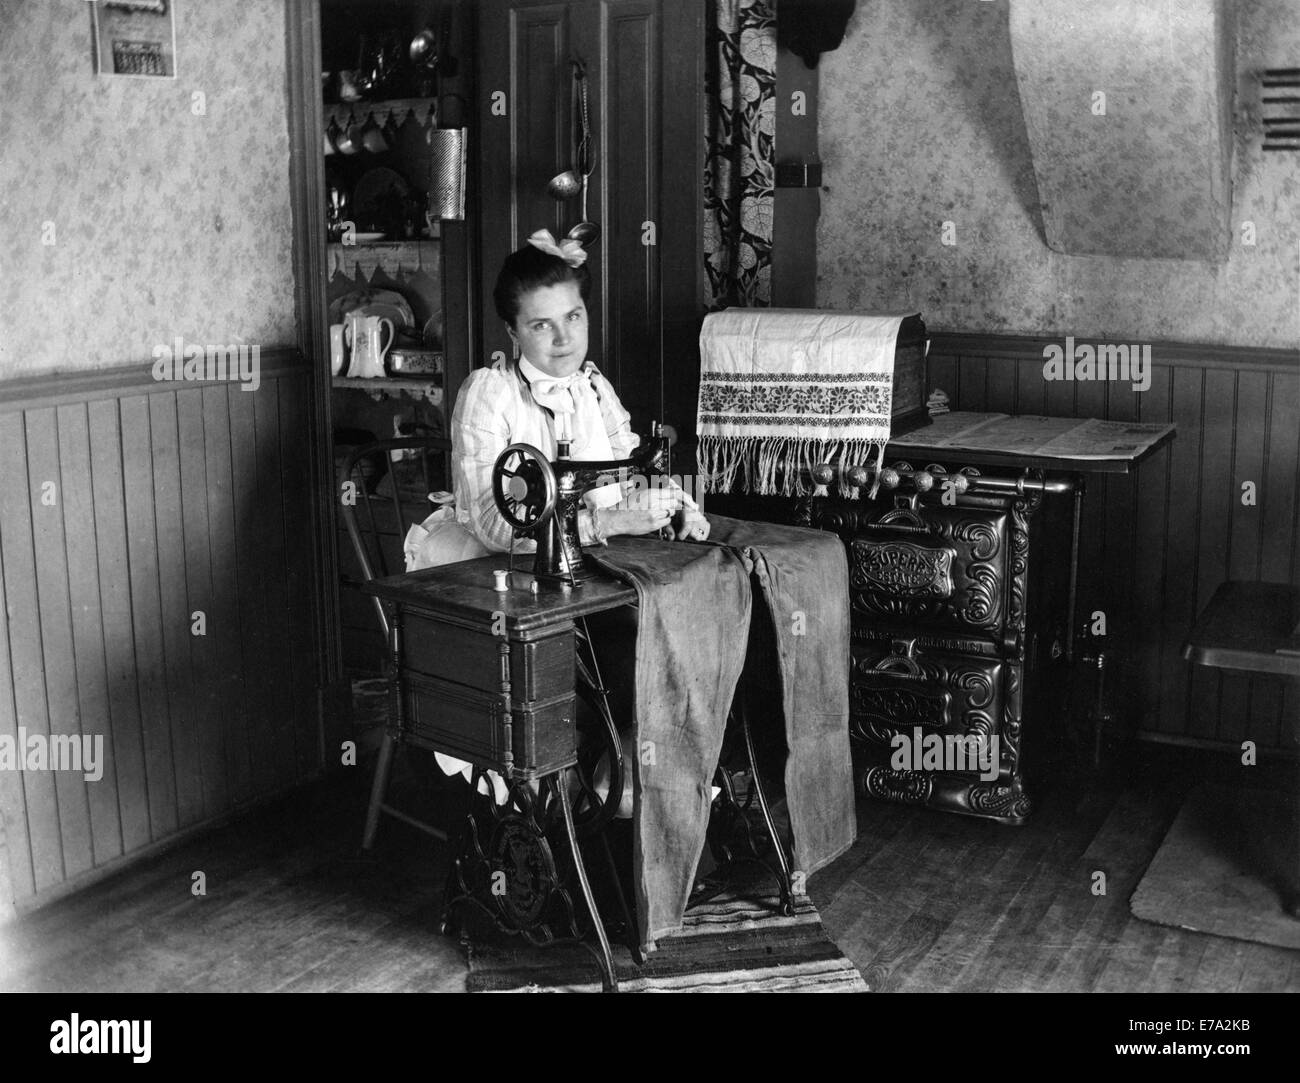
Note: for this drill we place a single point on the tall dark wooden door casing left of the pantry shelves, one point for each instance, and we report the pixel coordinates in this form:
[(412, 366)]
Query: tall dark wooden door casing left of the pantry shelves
[(307, 180)]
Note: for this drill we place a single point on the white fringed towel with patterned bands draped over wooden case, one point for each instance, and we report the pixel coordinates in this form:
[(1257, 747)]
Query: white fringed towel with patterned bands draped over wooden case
[(786, 389)]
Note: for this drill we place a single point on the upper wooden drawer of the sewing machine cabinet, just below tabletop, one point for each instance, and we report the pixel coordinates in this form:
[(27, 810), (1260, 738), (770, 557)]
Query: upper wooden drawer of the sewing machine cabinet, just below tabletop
[(539, 669)]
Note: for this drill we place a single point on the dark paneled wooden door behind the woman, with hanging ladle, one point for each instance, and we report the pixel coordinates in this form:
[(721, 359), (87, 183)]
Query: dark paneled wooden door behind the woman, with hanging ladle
[(645, 68)]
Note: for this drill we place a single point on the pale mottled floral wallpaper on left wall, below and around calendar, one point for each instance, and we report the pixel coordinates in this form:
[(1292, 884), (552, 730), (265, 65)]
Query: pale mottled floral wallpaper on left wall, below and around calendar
[(133, 210)]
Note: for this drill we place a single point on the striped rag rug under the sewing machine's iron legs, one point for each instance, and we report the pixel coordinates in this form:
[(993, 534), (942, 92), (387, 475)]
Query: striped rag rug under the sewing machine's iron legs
[(730, 945)]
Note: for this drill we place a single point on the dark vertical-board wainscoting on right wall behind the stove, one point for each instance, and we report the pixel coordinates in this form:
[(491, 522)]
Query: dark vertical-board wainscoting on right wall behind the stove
[(1156, 545)]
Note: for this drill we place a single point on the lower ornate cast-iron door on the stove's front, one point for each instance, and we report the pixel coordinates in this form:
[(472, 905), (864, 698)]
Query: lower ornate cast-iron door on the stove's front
[(894, 692)]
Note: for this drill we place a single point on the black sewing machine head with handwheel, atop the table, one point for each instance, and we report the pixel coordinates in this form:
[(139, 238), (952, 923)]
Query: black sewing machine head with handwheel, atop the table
[(541, 499)]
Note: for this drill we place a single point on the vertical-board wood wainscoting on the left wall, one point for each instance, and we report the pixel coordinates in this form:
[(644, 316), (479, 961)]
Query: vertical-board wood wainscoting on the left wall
[(161, 584)]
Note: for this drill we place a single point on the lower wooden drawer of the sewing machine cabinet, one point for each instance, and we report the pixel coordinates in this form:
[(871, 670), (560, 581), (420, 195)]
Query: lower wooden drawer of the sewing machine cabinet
[(469, 724)]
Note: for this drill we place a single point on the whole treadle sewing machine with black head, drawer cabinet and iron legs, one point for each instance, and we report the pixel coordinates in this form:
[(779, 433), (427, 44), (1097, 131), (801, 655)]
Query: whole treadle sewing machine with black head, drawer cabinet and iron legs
[(497, 668)]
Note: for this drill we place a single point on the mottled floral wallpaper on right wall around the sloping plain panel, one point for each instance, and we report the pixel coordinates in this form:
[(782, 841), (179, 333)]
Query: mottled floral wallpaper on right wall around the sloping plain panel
[(921, 124)]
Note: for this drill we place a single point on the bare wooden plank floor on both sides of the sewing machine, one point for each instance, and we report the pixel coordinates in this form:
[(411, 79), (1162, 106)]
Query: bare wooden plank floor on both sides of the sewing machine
[(925, 902)]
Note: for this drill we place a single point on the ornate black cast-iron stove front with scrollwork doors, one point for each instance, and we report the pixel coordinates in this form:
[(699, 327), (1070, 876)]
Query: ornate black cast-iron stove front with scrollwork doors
[(941, 644)]
